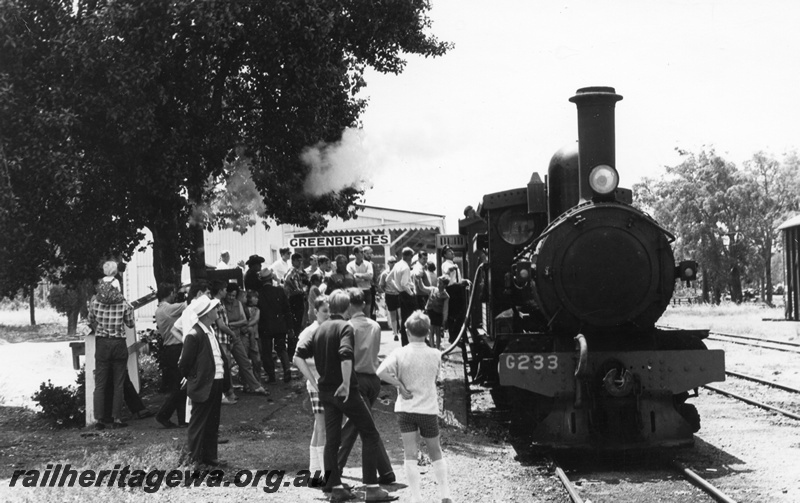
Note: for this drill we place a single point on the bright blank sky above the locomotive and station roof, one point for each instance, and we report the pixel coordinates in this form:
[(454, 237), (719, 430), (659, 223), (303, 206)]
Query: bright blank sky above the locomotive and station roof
[(494, 109)]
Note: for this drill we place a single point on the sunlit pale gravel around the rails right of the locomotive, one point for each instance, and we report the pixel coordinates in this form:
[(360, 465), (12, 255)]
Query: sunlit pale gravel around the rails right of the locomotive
[(749, 453)]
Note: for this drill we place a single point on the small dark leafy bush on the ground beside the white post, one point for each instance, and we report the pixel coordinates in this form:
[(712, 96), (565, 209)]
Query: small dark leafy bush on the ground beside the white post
[(63, 407)]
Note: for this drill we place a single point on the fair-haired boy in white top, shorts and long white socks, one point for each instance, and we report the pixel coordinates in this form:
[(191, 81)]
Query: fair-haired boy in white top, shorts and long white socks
[(413, 370)]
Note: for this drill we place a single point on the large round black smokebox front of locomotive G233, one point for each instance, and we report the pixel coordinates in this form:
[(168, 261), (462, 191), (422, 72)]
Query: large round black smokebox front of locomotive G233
[(608, 266)]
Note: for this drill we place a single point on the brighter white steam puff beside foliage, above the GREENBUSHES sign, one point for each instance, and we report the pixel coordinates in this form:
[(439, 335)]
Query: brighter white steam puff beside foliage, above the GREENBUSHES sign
[(335, 166)]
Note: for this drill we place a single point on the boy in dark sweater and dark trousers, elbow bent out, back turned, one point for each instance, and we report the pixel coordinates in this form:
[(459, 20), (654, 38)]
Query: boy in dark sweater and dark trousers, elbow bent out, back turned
[(332, 349)]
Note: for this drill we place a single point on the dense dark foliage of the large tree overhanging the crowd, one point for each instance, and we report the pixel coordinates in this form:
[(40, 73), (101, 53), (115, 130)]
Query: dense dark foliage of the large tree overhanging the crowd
[(120, 115)]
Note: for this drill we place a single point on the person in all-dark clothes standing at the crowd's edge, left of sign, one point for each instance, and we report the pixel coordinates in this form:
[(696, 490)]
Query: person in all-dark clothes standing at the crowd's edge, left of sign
[(274, 325)]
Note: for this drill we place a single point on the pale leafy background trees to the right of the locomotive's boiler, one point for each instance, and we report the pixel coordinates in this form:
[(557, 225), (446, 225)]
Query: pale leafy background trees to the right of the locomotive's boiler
[(725, 217)]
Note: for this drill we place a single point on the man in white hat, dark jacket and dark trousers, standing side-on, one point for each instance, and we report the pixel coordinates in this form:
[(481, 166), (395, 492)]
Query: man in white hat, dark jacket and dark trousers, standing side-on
[(203, 365)]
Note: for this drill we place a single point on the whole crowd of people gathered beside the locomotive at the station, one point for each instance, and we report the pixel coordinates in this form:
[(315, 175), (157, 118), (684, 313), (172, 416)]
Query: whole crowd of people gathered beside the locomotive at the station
[(321, 318)]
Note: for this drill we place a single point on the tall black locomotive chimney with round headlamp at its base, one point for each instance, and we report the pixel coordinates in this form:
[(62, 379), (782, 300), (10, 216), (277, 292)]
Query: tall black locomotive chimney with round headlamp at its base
[(597, 162)]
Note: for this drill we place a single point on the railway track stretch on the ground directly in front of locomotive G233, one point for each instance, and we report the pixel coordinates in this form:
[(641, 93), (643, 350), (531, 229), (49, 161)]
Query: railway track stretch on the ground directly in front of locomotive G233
[(602, 484)]
